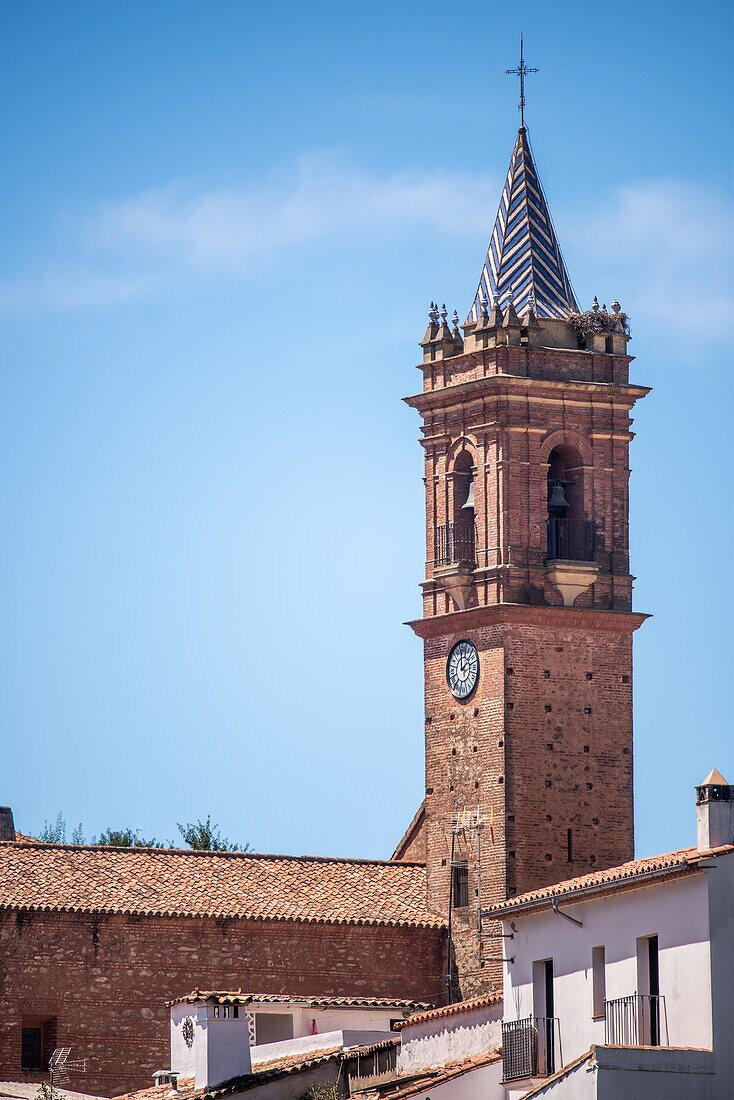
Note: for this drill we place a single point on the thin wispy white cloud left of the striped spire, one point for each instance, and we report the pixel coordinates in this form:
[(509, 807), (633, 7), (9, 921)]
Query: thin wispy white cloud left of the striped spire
[(314, 200)]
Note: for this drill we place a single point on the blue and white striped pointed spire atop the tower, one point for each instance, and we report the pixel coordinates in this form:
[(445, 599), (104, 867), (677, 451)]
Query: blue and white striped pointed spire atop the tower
[(524, 261)]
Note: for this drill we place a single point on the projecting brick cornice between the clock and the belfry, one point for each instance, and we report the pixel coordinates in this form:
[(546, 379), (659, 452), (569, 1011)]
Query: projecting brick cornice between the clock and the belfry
[(567, 619)]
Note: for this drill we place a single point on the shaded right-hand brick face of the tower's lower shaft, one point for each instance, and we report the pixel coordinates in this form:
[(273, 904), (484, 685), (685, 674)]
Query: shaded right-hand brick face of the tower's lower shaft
[(568, 722)]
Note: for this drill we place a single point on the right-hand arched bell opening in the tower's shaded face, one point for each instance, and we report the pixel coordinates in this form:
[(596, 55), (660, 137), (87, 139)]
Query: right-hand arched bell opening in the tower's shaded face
[(571, 534)]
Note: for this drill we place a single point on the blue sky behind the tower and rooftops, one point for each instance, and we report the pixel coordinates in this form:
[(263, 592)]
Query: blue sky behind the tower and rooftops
[(223, 225)]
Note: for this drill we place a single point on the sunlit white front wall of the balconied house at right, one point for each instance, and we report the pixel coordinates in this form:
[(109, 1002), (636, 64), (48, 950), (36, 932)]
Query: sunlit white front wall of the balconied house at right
[(676, 911)]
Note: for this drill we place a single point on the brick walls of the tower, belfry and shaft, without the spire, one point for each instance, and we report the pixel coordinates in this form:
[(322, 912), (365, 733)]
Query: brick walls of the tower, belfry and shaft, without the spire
[(545, 741)]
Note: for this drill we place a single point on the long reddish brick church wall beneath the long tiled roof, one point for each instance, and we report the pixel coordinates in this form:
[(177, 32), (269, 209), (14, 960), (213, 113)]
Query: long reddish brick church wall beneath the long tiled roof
[(106, 980)]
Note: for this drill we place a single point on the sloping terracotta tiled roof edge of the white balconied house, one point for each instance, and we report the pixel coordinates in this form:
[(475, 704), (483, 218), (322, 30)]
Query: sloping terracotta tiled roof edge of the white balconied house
[(627, 876)]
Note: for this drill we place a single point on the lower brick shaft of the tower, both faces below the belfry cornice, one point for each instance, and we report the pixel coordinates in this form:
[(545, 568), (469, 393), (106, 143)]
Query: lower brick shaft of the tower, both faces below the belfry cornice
[(543, 746)]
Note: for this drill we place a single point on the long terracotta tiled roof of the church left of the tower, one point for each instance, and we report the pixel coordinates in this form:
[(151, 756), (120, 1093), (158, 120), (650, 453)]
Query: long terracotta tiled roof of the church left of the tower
[(171, 883)]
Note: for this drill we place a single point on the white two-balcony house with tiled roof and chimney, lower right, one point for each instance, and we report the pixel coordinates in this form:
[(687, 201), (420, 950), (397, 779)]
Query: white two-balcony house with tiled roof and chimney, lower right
[(620, 983)]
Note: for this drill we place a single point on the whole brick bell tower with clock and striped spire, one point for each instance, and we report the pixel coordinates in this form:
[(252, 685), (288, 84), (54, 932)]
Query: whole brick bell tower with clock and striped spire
[(528, 615)]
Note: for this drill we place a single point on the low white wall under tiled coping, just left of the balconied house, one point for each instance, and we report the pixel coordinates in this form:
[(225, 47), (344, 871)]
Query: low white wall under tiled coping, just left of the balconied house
[(448, 1039)]
